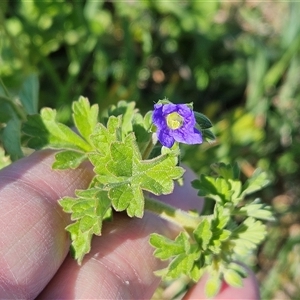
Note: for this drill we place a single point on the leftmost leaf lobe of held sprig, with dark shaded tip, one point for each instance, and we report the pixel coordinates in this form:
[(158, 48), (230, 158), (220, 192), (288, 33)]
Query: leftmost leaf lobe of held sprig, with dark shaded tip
[(46, 131)]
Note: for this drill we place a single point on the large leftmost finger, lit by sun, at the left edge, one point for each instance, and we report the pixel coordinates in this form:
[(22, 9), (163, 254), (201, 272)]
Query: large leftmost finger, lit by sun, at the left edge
[(32, 236)]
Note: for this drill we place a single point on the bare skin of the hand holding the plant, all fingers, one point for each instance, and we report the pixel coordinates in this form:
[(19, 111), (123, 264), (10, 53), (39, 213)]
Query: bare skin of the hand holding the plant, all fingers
[(34, 246)]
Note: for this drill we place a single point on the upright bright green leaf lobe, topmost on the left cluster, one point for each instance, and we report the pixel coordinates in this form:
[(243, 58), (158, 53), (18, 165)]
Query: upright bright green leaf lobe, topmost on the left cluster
[(85, 117)]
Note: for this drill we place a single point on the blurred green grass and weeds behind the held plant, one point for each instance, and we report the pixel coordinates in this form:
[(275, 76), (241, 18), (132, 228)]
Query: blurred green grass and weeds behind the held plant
[(239, 62)]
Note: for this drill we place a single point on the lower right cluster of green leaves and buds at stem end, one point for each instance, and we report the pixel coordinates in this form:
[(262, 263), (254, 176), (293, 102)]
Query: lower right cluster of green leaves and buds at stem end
[(231, 232)]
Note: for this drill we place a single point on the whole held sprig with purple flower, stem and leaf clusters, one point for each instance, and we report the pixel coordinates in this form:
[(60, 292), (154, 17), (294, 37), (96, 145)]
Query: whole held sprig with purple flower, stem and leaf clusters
[(137, 156)]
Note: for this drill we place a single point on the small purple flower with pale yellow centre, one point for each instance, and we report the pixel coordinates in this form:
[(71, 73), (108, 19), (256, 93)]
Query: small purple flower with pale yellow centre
[(175, 122)]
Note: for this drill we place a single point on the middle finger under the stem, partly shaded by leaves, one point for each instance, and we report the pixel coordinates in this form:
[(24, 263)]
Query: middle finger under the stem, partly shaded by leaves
[(121, 262)]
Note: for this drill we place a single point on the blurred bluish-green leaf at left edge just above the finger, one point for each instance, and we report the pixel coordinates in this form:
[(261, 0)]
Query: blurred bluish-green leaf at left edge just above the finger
[(12, 139)]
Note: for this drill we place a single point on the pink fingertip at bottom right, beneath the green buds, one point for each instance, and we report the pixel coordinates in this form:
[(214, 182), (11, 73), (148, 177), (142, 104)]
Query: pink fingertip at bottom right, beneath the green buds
[(249, 291)]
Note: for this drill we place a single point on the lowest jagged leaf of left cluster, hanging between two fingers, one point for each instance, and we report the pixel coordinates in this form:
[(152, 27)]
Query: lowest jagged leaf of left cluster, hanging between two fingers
[(88, 210)]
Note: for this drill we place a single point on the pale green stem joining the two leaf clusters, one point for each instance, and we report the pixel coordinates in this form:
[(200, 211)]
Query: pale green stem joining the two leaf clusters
[(173, 214)]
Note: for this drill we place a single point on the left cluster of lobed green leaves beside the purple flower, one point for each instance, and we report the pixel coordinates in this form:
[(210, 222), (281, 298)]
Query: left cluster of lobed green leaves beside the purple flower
[(121, 174)]
